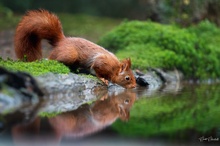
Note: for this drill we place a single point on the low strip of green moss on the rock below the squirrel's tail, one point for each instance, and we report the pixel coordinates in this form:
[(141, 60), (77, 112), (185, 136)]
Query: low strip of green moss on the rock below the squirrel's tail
[(35, 68)]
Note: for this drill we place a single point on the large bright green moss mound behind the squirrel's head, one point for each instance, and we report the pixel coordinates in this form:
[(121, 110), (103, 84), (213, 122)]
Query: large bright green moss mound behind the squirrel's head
[(151, 44)]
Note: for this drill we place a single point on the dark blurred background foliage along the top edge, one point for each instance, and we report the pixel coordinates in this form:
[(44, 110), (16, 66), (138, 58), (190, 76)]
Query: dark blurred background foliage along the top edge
[(184, 12)]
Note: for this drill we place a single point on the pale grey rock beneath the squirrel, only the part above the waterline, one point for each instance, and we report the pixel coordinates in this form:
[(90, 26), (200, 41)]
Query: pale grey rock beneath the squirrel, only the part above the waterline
[(56, 83)]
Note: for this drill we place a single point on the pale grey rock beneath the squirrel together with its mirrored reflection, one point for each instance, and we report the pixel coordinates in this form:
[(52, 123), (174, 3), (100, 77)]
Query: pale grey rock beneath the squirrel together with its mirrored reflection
[(68, 91)]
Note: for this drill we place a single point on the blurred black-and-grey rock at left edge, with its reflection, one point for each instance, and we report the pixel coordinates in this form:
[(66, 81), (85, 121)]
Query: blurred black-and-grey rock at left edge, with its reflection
[(17, 89)]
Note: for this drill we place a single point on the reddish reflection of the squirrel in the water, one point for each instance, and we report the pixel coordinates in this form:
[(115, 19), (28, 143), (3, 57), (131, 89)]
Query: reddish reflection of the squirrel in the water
[(87, 119)]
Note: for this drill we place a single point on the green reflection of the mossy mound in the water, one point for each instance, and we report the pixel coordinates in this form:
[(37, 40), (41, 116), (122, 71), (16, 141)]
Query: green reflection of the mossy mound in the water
[(196, 110)]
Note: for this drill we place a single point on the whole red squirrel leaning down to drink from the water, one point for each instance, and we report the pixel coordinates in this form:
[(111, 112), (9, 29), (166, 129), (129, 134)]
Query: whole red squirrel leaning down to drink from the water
[(42, 24)]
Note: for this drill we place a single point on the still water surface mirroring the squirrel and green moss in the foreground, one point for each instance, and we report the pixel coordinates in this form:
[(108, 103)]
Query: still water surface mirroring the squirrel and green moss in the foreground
[(183, 114)]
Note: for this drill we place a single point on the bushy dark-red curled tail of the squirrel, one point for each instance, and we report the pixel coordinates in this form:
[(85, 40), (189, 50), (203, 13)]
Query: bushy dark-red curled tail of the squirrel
[(33, 27)]
